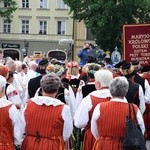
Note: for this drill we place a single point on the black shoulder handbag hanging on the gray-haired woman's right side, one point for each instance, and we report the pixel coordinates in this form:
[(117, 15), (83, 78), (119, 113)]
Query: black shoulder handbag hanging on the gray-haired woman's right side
[(134, 139)]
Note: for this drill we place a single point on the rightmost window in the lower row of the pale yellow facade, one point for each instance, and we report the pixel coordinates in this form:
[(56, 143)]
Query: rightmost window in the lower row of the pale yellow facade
[(61, 27)]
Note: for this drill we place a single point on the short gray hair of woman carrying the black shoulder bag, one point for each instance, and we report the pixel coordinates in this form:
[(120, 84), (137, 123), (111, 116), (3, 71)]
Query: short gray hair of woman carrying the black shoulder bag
[(119, 87)]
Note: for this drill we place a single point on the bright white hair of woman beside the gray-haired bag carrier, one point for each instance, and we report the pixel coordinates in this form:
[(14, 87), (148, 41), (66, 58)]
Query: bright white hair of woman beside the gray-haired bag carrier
[(104, 77)]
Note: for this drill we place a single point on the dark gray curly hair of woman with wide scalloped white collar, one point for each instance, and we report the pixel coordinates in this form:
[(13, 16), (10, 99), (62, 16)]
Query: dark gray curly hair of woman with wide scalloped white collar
[(50, 83)]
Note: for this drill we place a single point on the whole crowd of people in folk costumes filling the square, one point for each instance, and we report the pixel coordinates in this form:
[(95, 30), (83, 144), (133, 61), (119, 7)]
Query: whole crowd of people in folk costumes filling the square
[(62, 106)]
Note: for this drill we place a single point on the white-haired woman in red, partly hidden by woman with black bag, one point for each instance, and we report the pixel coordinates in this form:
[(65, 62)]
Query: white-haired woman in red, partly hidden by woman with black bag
[(83, 115)]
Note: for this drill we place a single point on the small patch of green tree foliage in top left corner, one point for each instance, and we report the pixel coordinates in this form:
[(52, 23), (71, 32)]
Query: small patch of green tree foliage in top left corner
[(7, 7)]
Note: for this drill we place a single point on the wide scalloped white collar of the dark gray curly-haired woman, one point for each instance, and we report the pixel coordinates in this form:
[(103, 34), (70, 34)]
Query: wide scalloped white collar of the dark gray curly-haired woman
[(40, 100)]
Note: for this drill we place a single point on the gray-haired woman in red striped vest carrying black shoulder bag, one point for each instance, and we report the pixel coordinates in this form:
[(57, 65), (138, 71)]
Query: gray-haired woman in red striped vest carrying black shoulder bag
[(108, 120)]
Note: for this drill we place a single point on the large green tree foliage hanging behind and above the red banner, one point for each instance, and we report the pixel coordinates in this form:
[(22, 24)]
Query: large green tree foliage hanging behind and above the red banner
[(106, 17)]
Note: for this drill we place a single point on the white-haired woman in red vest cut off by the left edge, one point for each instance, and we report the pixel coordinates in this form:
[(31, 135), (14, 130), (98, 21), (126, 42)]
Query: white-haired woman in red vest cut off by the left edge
[(11, 123)]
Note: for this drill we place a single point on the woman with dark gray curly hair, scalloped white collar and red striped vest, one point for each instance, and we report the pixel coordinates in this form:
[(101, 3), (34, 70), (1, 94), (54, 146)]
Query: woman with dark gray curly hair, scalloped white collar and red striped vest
[(48, 120)]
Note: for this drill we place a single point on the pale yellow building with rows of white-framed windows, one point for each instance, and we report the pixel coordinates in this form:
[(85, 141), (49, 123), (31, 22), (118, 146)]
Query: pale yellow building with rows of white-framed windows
[(37, 27)]
